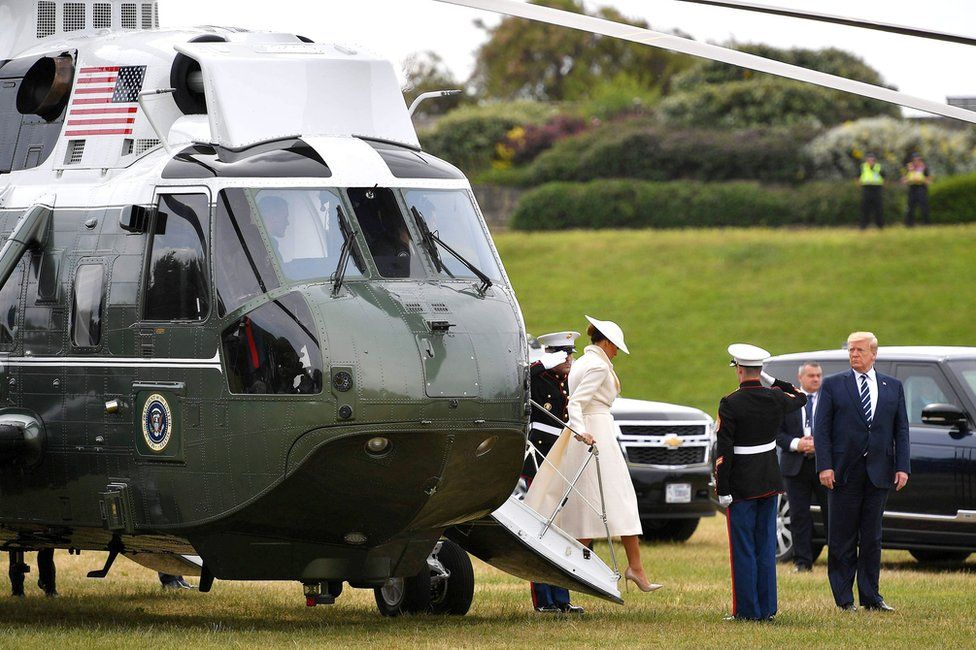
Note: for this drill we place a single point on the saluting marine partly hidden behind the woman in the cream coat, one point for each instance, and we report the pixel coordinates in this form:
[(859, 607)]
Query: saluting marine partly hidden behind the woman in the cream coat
[(548, 387)]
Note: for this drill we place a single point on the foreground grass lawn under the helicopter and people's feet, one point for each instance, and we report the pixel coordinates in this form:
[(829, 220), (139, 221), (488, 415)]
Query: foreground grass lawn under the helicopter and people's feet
[(128, 609)]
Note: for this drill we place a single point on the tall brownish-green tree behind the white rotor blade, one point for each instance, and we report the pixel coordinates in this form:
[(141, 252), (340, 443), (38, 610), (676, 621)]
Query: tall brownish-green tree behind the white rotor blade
[(529, 60)]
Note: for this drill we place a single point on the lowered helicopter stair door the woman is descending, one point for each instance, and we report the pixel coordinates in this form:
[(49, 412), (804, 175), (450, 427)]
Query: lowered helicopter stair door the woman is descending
[(516, 540)]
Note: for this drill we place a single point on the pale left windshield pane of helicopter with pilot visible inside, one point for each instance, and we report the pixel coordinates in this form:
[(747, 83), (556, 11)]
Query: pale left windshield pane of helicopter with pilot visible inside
[(304, 233)]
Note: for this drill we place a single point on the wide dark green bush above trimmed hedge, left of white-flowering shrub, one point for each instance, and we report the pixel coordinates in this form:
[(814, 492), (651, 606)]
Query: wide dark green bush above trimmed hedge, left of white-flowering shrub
[(640, 149)]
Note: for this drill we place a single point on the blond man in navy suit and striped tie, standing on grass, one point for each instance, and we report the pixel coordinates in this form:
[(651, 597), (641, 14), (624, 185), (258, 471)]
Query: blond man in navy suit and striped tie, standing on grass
[(862, 447)]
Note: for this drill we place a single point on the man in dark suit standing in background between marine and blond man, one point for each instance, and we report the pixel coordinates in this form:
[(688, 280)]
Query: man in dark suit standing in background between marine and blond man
[(799, 467)]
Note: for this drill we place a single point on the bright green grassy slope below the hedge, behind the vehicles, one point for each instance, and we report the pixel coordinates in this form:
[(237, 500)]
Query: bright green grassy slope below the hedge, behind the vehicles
[(683, 296)]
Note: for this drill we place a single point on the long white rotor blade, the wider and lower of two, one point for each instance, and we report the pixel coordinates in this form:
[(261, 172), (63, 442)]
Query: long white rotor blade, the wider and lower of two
[(713, 52)]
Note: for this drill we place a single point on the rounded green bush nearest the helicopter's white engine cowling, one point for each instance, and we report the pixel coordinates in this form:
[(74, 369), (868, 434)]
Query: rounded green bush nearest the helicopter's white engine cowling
[(468, 136)]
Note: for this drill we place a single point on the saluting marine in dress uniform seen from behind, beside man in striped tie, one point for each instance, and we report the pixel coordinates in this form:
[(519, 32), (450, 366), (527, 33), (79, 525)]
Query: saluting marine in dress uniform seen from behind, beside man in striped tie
[(748, 480)]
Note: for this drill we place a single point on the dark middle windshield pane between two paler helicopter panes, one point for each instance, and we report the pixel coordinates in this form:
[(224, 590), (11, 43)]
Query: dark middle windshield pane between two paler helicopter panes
[(386, 233)]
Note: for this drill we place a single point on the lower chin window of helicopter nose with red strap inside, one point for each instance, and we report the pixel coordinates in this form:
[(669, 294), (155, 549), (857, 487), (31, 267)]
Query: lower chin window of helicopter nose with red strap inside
[(274, 350)]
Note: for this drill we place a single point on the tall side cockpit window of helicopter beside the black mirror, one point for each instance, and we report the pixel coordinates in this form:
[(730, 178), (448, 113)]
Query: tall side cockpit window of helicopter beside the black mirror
[(176, 282)]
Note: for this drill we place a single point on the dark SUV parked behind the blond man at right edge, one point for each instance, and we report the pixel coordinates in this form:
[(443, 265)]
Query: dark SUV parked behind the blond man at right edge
[(934, 517)]
